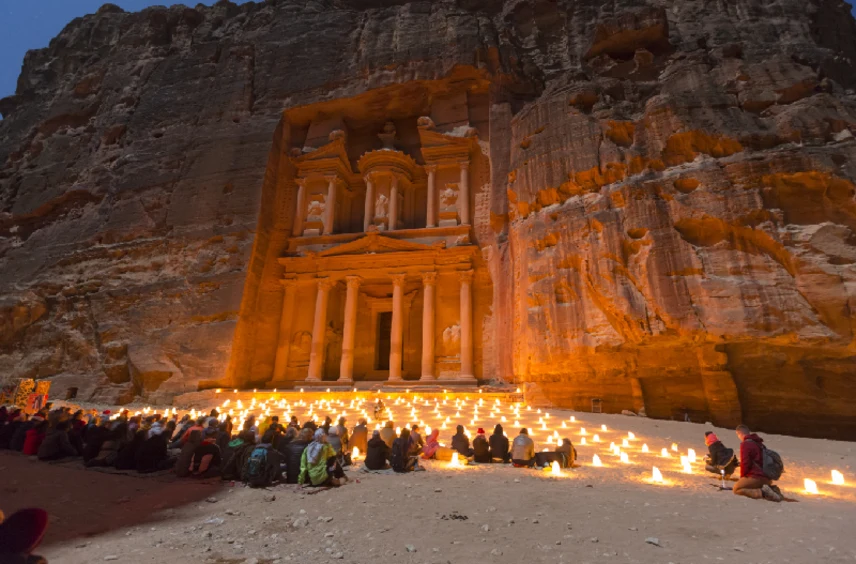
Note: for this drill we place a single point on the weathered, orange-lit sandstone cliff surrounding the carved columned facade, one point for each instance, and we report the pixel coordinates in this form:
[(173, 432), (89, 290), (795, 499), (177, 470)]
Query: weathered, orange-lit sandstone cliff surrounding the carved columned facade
[(669, 219)]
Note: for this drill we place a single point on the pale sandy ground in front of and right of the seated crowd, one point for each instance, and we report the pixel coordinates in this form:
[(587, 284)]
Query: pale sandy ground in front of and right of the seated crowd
[(485, 513)]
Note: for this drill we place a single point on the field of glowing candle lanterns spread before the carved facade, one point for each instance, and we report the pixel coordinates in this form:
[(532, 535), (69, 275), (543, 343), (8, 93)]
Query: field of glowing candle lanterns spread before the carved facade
[(397, 409)]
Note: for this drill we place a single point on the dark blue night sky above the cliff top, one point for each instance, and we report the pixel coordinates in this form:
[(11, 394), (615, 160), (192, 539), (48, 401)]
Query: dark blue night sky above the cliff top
[(31, 24)]
